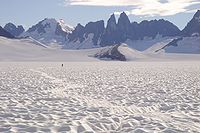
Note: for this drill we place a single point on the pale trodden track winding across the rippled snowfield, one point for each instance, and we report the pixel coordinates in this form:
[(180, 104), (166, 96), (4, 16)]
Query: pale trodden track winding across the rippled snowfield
[(62, 89)]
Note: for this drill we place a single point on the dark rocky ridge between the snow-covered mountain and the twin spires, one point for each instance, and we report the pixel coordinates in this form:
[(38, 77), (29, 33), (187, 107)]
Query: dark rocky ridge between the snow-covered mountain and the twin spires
[(81, 33)]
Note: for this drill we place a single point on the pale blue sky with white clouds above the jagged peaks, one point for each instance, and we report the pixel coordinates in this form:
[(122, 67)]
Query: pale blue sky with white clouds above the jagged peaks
[(30, 12)]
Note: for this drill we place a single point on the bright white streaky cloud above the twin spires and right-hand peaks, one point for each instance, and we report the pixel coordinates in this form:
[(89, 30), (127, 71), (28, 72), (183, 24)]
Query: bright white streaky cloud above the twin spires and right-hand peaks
[(143, 7)]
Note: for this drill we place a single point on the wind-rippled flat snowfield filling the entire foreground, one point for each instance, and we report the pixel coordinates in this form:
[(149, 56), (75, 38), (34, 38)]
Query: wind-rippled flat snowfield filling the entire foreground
[(100, 97)]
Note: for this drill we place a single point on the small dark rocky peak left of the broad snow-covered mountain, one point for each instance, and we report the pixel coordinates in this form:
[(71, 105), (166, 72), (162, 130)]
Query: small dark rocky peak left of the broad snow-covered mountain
[(14, 30)]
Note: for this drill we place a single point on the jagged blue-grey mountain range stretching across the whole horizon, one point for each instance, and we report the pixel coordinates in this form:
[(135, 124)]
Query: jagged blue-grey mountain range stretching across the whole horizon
[(96, 34)]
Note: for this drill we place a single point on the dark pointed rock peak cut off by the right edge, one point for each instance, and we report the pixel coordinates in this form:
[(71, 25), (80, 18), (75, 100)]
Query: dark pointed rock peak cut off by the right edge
[(193, 26)]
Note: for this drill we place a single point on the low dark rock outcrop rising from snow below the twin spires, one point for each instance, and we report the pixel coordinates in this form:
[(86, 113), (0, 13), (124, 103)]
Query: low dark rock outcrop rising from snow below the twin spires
[(112, 53)]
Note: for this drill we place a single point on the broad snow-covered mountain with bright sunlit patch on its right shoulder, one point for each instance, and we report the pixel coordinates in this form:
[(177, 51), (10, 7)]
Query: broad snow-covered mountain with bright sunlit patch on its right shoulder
[(49, 32)]
